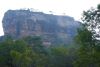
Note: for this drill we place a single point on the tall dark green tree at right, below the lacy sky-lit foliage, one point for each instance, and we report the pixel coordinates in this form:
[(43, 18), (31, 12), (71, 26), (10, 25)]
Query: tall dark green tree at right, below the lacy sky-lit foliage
[(86, 54)]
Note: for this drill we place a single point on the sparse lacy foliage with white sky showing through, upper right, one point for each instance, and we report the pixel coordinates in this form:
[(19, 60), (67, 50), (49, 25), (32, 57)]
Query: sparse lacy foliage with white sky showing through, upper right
[(91, 20)]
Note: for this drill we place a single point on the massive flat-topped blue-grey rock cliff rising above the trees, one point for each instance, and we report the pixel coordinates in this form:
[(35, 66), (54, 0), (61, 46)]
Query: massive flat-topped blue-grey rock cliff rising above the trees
[(52, 28)]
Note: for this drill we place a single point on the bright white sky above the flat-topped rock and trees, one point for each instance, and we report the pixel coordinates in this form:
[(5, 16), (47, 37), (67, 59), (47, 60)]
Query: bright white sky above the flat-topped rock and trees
[(73, 8)]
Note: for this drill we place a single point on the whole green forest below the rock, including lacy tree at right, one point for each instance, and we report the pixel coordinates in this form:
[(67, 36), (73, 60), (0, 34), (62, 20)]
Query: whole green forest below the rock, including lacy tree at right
[(30, 52)]
